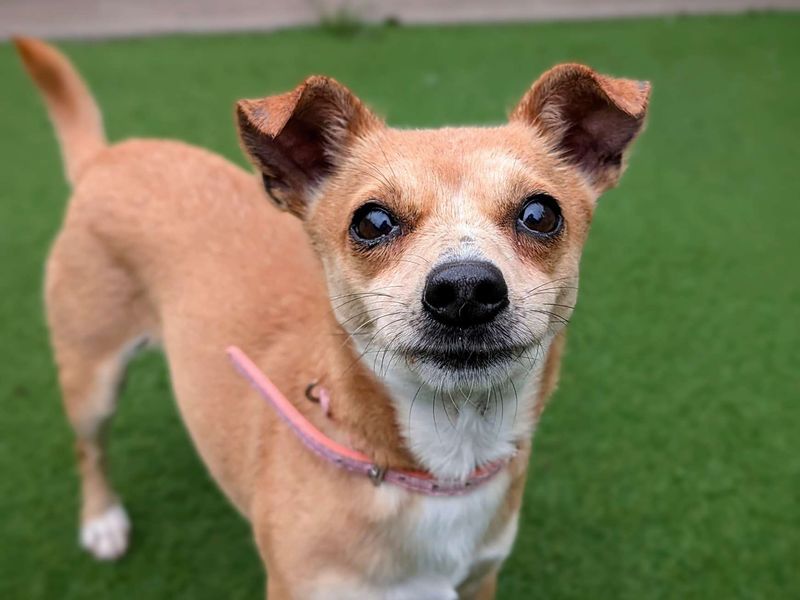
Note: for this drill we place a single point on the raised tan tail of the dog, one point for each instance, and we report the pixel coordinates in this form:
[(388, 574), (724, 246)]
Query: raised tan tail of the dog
[(73, 111)]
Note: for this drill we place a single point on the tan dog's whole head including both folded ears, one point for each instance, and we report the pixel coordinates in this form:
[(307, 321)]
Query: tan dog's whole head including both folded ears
[(454, 251)]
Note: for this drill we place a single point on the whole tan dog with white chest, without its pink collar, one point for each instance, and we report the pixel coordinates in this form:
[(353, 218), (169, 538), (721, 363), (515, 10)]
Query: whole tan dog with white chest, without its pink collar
[(423, 278)]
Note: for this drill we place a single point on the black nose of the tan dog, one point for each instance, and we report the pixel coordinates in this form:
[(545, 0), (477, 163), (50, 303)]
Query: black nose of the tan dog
[(465, 293)]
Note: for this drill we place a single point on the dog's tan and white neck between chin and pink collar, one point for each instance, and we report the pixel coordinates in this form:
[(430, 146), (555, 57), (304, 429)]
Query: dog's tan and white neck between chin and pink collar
[(404, 424)]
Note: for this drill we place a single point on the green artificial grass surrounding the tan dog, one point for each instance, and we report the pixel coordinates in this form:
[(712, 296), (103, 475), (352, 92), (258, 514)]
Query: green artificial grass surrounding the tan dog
[(668, 464)]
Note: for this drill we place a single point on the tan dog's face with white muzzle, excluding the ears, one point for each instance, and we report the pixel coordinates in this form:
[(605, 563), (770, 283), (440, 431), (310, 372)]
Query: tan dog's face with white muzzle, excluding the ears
[(453, 252)]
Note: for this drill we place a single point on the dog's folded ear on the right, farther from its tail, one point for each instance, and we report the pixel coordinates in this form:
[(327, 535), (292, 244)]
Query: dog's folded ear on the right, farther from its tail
[(589, 118)]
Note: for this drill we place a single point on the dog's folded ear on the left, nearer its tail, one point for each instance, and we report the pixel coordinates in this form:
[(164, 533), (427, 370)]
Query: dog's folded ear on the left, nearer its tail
[(296, 139)]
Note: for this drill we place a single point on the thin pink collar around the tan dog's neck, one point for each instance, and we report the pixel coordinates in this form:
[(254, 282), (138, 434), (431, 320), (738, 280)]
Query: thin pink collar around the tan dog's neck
[(347, 458)]
